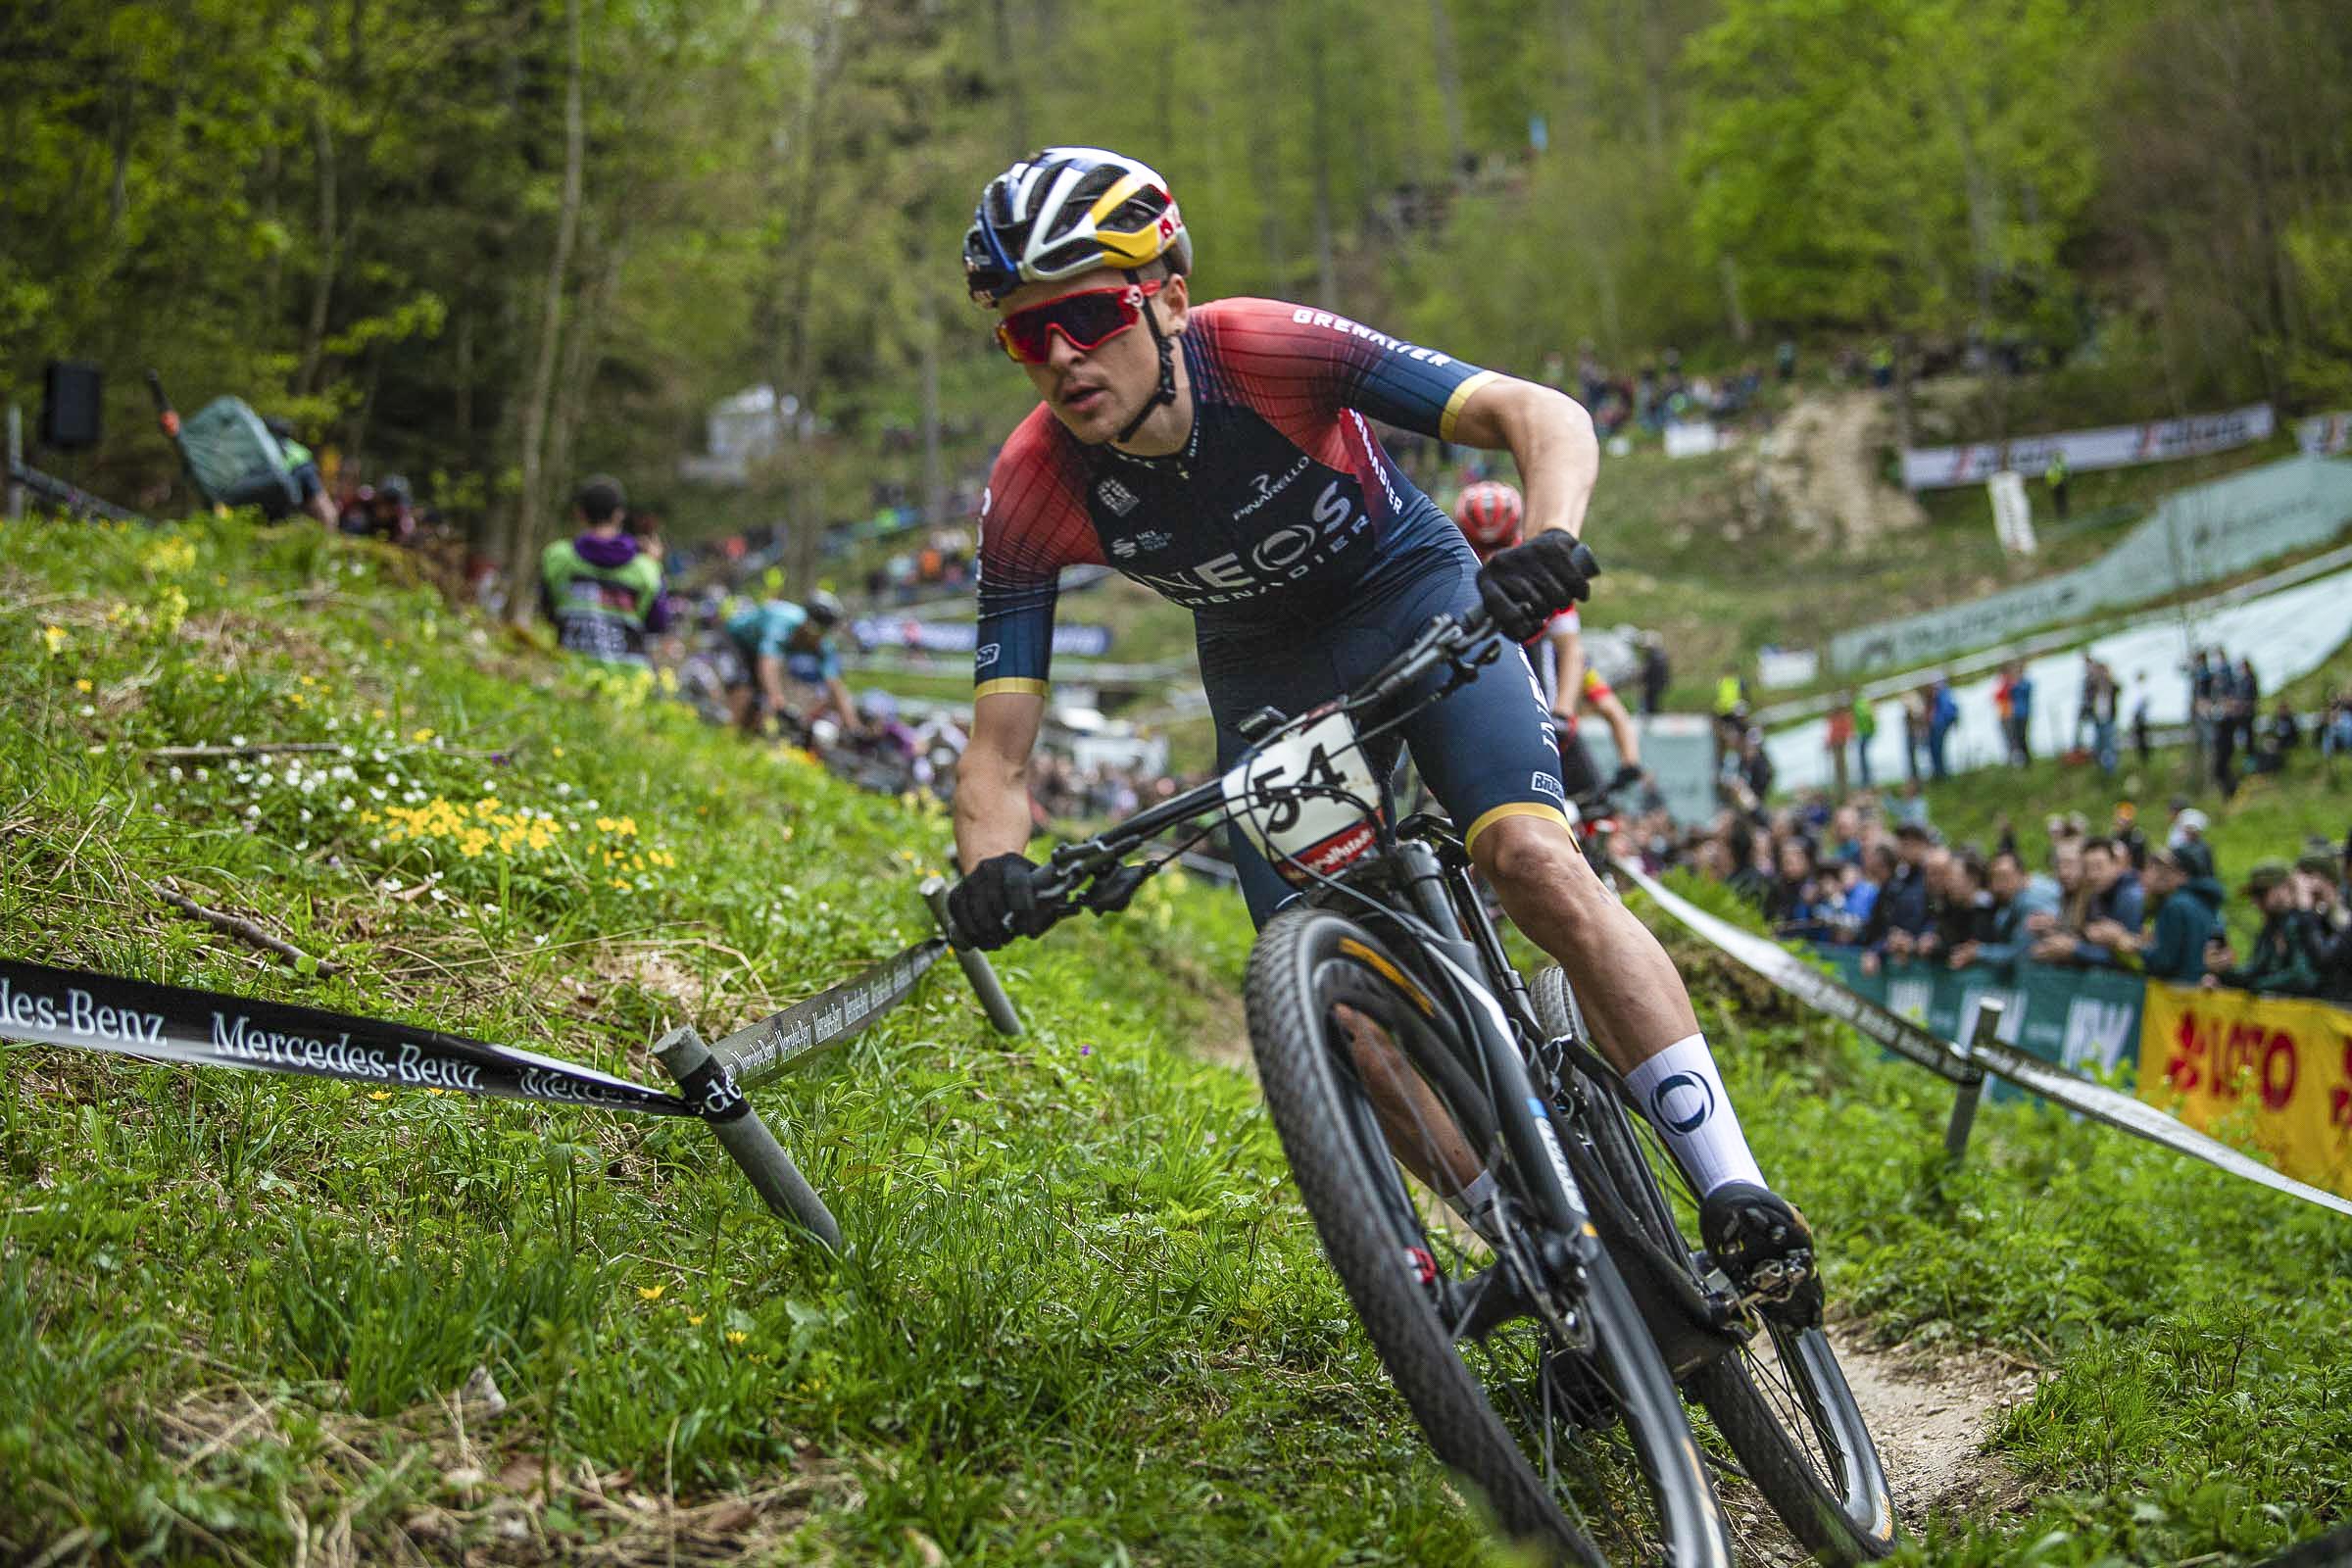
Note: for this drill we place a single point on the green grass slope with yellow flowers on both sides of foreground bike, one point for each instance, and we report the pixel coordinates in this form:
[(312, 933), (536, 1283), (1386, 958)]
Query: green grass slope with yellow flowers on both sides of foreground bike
[(1085, 1320)]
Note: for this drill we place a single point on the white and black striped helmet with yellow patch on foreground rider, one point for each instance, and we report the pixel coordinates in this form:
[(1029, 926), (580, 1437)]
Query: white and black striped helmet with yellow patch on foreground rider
[(1064, 213)]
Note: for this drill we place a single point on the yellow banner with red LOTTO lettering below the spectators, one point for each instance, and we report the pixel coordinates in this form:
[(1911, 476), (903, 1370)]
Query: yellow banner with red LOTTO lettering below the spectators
[(2276, 1076)]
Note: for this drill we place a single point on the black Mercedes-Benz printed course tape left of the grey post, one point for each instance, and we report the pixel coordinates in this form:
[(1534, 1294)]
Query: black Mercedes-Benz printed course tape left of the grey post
[(67, 1007)]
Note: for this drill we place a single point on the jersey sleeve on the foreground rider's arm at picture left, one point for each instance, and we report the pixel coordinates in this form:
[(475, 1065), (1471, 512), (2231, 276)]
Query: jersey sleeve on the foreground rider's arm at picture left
[(1034, 523)]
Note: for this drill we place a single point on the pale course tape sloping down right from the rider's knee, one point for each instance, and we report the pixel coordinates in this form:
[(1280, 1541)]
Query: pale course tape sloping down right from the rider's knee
[(1916, 1045)]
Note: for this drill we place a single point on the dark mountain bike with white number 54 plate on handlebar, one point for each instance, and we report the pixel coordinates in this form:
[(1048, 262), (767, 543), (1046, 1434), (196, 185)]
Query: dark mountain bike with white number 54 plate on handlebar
[(1539, 1339)]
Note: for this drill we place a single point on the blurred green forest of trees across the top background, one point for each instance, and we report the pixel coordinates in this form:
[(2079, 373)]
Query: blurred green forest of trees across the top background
[(497, 243)]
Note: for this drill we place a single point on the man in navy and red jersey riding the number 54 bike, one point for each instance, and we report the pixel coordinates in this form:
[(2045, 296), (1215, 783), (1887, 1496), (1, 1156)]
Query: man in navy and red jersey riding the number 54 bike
[(1224, 460)]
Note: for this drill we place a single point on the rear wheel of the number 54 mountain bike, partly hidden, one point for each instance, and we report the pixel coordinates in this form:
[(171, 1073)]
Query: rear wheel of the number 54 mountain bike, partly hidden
[(1782, 1402)]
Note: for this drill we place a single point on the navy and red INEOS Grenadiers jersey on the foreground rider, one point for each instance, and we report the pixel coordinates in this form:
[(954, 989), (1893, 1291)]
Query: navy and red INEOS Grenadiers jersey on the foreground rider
[(1278, 514)]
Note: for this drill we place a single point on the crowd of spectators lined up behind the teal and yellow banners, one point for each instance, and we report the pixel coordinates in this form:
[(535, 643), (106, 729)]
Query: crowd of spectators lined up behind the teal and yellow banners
[(1876, 876)]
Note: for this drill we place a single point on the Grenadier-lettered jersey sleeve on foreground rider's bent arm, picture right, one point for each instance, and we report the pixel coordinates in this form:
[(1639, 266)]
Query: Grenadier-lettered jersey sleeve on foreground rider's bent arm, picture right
[(1295, 361)]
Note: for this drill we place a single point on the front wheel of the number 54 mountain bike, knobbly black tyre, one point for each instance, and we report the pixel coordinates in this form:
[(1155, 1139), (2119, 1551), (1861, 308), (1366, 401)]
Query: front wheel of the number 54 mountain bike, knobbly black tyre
[(1568, 1419)]
